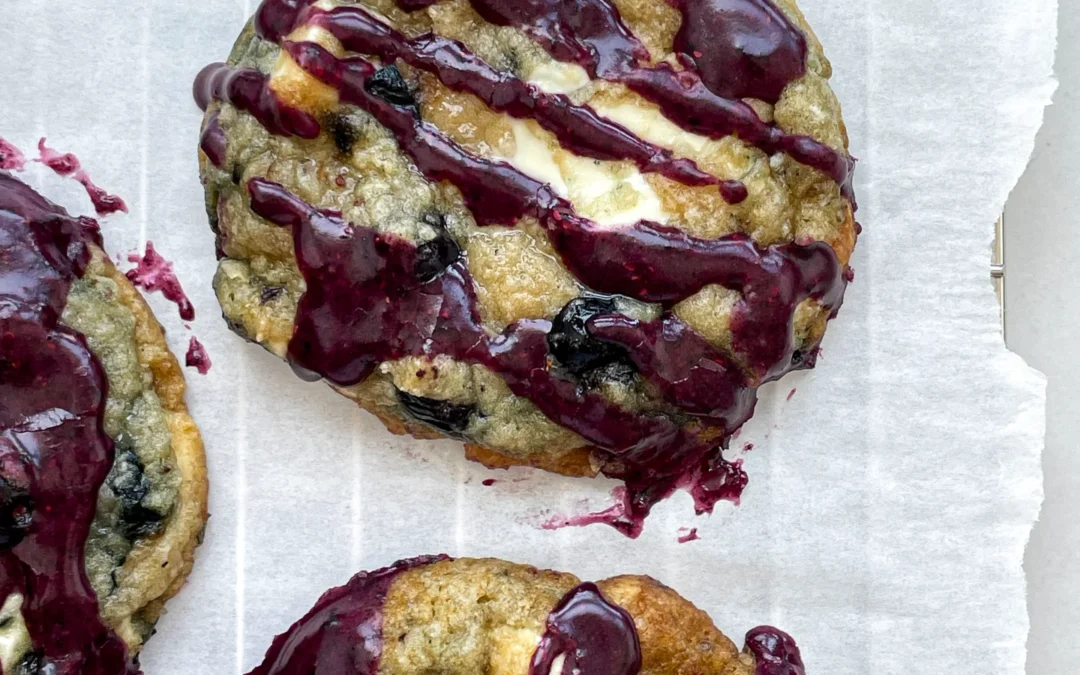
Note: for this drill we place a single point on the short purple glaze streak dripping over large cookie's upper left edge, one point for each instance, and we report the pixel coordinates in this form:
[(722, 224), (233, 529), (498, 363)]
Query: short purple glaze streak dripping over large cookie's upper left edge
[(248, 90)]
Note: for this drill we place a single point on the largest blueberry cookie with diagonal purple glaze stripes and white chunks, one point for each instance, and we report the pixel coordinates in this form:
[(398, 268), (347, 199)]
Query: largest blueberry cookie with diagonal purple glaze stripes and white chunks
[(577, 236)]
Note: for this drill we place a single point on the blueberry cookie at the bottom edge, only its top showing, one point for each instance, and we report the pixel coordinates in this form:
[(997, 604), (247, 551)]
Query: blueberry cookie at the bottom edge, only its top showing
[(463, 617)]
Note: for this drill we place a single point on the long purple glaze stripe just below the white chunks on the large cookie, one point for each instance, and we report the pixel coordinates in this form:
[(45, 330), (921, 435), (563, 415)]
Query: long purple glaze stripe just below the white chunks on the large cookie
[(645, 261)]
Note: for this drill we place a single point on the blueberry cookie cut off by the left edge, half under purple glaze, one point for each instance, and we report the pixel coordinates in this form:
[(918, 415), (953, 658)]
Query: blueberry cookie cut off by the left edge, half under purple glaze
[(103, 478)]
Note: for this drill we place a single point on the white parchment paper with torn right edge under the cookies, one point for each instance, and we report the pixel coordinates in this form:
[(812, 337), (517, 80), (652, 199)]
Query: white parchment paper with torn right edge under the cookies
[(890, 498)]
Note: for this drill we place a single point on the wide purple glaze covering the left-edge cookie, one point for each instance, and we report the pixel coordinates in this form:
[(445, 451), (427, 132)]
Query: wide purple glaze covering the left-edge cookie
[(55, 453)]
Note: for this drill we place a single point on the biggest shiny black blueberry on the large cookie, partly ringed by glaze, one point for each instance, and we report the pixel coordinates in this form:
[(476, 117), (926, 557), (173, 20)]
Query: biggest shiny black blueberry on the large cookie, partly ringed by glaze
[(572, 345)]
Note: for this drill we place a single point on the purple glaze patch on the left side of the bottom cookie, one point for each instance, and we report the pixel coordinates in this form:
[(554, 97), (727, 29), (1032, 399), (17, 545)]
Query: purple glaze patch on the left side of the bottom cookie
[(343, 633)]
